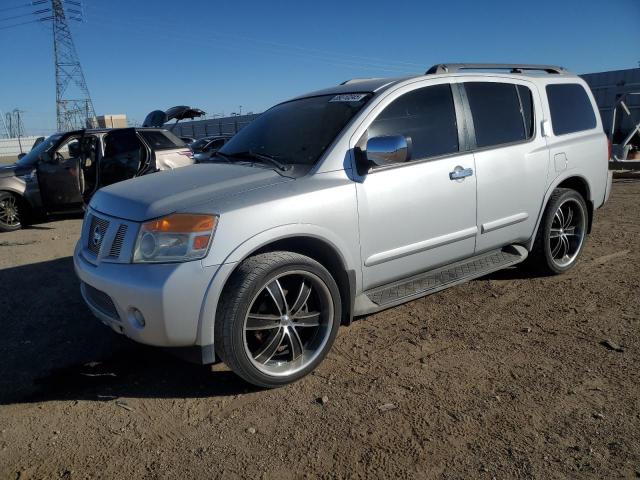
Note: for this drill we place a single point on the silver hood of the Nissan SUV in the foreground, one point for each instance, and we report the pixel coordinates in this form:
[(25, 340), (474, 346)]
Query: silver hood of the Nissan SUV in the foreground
[(162, 193)]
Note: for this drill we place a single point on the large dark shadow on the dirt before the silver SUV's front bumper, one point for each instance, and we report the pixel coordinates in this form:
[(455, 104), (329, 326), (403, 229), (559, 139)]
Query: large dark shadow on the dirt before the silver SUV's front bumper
[(52, 348)]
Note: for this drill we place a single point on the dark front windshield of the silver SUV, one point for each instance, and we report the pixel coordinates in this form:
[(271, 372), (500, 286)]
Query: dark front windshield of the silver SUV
[(297, 132)]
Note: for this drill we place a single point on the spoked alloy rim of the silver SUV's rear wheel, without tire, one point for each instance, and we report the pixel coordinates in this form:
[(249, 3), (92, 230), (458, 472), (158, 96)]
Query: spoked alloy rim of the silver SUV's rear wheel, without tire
[(567, 232)]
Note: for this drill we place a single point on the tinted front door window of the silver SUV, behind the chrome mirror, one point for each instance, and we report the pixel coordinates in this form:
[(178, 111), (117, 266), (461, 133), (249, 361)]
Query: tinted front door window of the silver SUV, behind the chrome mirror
[(427, 116)]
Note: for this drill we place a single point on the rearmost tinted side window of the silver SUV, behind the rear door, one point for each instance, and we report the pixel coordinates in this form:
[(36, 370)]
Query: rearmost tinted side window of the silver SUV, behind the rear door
[(571, 109)]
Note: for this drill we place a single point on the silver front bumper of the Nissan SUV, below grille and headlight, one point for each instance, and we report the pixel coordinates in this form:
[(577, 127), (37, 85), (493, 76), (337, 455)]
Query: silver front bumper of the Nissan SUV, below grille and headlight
[(170, 298)]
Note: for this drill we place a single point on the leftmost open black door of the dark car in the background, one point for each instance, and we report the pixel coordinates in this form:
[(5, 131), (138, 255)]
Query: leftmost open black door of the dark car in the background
[(60, 178)]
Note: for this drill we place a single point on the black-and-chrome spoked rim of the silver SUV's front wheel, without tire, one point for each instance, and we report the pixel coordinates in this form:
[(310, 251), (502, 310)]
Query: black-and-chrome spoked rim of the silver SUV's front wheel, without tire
[(288, 323)]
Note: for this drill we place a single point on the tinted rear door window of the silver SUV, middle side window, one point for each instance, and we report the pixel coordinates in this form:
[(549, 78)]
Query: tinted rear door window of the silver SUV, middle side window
[(497, 117)]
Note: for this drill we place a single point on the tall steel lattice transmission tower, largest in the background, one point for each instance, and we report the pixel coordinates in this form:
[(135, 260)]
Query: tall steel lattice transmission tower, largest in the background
[(74, 108)]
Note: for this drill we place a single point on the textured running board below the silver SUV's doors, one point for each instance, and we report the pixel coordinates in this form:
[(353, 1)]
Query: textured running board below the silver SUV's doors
[(435, 280)]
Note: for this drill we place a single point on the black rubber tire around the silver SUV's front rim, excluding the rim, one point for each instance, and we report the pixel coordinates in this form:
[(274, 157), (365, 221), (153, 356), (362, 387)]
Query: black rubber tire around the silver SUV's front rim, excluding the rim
[(233, 349)]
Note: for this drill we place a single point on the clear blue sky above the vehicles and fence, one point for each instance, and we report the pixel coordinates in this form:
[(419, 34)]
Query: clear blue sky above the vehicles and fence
[(217, 55)]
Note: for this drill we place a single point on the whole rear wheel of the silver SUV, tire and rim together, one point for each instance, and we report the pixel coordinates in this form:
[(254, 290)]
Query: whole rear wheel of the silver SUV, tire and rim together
[(562, 233)]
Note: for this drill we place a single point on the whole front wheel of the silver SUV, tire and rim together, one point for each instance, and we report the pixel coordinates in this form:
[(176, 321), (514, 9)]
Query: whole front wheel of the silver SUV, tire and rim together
[(277, 319)]
